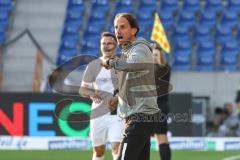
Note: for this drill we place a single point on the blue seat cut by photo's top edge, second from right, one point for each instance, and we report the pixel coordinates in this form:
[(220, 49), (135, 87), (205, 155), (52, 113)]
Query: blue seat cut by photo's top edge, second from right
[(214, 6)]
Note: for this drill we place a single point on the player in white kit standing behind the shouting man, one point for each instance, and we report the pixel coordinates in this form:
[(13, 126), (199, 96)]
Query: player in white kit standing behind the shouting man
[(98, 85)]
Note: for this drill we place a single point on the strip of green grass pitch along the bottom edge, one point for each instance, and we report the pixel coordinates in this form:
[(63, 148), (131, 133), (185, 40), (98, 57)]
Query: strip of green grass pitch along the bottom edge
[(86, 155)]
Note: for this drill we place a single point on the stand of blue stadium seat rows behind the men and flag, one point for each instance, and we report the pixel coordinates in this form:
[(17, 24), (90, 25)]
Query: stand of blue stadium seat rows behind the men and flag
[(216, 22)]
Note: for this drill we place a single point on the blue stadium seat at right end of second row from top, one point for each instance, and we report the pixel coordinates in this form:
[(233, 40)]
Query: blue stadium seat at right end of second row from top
[(229, 19)]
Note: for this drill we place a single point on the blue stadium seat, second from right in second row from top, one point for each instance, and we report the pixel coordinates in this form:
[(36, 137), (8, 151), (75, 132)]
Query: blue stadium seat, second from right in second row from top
[(207, 19)]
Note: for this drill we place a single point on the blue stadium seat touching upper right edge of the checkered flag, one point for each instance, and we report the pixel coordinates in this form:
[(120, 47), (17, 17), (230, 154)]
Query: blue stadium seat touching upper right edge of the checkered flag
[(167, 19)]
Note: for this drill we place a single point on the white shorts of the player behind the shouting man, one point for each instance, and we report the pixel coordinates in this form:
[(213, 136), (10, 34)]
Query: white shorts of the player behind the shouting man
[(107, 128)]
